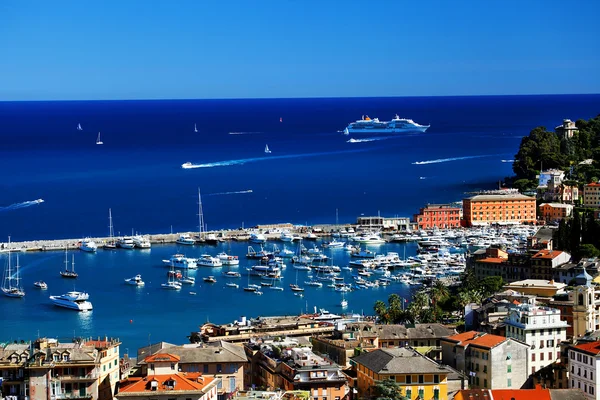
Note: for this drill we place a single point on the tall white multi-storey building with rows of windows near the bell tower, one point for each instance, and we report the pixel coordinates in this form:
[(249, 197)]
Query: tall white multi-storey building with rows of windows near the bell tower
[(539, 327)]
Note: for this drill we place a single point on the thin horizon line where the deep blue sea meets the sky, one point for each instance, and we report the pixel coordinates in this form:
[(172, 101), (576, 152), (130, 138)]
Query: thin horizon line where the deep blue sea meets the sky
[(301, 98)]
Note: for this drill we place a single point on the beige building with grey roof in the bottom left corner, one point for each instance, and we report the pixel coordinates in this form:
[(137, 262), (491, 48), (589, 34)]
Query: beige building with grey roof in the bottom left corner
[(48, 368)]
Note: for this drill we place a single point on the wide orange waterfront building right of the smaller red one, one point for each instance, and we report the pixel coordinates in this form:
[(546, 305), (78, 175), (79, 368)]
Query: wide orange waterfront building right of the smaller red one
[(499, 208)]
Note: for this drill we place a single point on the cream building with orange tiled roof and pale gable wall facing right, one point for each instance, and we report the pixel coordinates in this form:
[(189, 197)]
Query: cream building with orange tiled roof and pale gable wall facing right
[(490, 361)]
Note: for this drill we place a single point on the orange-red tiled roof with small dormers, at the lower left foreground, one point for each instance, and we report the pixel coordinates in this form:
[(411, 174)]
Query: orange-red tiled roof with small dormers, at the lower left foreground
[(182, 381)]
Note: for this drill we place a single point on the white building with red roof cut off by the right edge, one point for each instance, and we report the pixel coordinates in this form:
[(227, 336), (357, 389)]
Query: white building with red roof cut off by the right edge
[(584, 368)]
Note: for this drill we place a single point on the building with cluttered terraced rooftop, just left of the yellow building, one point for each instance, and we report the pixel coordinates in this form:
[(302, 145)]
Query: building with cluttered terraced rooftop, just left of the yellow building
[(286, 366)]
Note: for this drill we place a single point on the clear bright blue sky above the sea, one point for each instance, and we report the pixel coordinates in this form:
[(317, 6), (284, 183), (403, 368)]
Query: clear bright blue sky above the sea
[(151, 49)]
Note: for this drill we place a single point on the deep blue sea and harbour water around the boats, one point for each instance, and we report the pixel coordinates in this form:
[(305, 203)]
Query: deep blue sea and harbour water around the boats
[(312, 171)]
